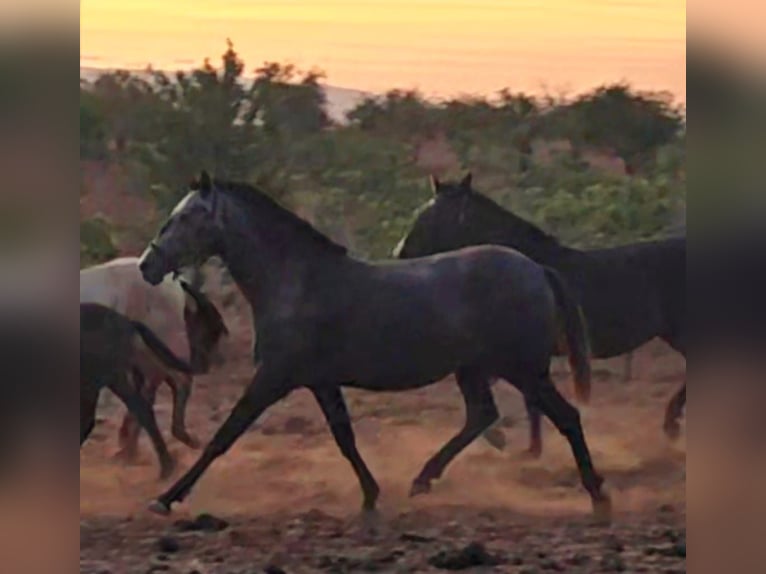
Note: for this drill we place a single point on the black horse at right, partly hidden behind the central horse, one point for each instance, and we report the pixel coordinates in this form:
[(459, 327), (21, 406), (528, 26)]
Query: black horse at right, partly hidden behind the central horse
[(629, 294)]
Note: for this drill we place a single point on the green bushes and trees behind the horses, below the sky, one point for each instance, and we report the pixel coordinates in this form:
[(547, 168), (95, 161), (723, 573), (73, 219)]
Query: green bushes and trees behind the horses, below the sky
[(361, 181)]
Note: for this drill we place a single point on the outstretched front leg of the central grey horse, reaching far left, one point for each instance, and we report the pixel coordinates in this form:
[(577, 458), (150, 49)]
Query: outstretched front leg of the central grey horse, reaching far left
[(267, 387)]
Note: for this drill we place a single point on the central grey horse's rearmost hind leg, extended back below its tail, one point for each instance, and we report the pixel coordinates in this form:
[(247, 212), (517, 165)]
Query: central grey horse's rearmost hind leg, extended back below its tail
[(566, 418)]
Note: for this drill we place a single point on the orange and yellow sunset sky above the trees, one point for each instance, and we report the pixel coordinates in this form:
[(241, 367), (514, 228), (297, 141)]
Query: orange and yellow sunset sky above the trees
[(441, 47)]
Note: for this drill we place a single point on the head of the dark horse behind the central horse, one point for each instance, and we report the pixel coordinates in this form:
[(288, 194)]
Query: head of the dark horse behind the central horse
[(436, 228)]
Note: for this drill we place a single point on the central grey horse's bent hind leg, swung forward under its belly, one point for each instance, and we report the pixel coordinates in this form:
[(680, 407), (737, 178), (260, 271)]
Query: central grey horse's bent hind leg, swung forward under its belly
[(481, 412)]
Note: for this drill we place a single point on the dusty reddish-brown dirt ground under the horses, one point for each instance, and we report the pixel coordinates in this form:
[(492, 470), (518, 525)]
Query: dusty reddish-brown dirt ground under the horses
[(291, 500)]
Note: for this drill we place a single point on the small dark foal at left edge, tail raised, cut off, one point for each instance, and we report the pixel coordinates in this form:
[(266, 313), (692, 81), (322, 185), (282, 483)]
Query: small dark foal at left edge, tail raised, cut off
[(108, 342)]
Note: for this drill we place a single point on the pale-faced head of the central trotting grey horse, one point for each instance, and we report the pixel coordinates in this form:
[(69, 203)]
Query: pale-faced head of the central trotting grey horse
[(188, 237)]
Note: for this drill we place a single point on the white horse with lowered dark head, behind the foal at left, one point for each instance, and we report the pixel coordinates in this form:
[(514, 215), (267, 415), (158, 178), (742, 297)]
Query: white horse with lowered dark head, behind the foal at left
[(182, 316)]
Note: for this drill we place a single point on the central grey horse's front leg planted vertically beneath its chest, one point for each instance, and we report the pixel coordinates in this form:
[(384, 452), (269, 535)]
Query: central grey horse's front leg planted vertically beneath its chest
[(333, 406)]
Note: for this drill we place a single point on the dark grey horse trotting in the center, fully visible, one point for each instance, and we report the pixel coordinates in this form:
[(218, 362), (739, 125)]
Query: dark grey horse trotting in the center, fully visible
[(327, 320)]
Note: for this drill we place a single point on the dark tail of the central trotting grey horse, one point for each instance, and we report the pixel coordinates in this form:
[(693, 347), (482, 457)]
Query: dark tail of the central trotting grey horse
[(577, 345)]
